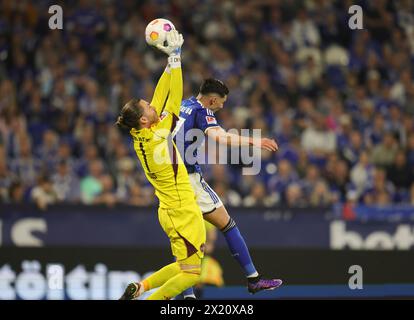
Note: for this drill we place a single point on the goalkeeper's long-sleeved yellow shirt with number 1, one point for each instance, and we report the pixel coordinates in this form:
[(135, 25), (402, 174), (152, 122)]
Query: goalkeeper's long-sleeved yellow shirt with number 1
[(156, 150)]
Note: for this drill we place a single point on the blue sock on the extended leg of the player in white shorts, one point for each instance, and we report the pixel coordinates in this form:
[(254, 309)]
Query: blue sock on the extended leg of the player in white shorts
[(238, 248)]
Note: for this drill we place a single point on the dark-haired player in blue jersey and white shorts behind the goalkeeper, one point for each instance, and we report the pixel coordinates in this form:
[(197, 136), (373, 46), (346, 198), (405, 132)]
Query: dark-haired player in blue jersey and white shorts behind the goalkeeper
[(198, 113)]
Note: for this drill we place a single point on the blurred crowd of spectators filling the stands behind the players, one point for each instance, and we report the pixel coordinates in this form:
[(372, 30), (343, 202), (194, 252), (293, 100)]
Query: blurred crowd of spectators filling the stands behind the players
[(339, 102)]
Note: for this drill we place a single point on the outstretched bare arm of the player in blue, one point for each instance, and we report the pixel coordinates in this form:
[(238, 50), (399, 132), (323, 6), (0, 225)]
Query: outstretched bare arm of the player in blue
[(230, 139)]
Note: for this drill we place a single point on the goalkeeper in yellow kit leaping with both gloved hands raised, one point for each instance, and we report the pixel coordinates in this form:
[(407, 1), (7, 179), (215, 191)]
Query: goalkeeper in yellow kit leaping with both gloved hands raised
[(151, 125)]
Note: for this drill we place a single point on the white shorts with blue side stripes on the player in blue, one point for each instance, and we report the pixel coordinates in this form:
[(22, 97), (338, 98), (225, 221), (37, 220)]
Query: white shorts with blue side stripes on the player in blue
[(206, 198)]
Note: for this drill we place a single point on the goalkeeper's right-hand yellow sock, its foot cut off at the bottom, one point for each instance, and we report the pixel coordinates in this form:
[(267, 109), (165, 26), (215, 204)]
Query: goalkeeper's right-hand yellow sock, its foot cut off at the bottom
[(188, 276)]
